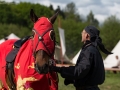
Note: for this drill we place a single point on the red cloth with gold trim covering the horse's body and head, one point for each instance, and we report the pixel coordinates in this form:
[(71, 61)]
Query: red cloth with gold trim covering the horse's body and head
[(26, 77)]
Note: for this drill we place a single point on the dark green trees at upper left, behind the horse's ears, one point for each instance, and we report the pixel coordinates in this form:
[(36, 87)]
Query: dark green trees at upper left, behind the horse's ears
[(19, 13)]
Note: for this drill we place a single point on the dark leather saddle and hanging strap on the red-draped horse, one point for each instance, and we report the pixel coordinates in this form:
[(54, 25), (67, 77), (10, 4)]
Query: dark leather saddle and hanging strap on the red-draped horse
[(10, 58)]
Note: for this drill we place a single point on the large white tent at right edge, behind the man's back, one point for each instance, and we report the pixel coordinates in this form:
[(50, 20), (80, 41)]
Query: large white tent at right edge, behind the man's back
[(110, 60)]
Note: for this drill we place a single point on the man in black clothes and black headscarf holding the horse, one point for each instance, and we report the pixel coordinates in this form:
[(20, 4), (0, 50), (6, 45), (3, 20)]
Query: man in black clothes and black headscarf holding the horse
[(89, 71)]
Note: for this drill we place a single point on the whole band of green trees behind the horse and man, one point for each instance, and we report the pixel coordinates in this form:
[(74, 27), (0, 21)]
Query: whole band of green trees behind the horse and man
[(14, 18)]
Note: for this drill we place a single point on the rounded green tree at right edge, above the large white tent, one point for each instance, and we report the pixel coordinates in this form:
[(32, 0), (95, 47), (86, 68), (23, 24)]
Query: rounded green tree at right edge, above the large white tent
[(110, 32)]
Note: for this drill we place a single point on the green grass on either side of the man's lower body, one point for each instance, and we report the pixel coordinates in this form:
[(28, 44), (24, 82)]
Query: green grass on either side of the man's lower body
[(112, 82)]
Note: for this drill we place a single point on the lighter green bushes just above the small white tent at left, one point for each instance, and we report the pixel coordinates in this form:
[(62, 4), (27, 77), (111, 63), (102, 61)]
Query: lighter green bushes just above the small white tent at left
[(7, 29)]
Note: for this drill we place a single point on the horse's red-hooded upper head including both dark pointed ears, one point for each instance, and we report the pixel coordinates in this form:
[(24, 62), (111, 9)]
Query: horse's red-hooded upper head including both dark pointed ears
[(44, 37)]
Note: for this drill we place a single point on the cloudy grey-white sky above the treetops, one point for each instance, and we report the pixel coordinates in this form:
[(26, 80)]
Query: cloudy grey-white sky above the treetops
[(100, 8)]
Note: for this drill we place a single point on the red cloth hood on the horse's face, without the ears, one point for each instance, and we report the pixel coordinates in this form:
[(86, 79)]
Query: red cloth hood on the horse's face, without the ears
[(42, 39)]
